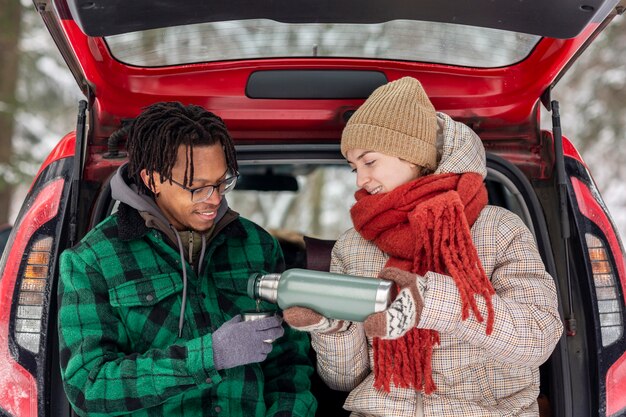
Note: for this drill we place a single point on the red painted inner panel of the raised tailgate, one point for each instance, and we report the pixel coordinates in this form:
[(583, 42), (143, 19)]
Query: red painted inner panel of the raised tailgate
[(499, 103)]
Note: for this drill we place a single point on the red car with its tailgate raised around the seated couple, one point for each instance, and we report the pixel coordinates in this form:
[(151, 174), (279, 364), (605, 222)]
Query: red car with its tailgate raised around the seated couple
[(285, 76)]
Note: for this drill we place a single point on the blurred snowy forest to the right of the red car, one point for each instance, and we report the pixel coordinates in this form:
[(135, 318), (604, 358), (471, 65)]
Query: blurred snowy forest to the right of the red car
[(593, 111)]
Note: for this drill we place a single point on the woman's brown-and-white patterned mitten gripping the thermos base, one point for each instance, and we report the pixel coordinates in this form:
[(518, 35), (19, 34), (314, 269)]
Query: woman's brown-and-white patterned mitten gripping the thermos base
[(404, 312)]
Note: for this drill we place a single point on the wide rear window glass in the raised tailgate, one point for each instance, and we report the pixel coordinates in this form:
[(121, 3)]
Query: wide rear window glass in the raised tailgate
[(405, 40)]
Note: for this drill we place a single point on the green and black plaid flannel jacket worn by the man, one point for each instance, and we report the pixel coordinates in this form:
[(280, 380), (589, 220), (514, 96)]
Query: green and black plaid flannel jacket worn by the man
[(120, 295)]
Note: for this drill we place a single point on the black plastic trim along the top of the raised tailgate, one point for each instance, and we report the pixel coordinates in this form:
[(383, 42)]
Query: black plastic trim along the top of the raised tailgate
[(554, 18)]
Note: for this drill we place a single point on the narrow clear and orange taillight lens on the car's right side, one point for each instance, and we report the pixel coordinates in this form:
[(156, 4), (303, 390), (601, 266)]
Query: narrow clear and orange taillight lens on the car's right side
[(607, 292)]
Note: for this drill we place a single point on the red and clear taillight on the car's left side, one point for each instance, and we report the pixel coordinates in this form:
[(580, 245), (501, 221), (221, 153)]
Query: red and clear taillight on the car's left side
[(27, 268)]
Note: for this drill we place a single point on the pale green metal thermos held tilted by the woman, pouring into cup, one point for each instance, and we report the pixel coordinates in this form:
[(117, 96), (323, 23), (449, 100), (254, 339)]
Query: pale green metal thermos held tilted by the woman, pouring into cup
[(336, 296)]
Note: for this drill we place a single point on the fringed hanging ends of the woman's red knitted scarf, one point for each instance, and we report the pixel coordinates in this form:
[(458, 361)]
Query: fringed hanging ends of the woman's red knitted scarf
[(443, 244)]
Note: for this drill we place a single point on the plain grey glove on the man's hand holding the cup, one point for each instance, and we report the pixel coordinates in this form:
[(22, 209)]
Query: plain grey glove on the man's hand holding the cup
[(239, 342)]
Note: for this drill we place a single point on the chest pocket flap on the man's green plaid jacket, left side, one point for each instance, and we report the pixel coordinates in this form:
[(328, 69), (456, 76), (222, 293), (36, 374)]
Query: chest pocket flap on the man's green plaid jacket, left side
[(145, 291)]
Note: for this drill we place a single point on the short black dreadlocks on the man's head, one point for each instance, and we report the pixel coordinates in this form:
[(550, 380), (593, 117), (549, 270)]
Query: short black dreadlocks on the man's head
[(157, 133)]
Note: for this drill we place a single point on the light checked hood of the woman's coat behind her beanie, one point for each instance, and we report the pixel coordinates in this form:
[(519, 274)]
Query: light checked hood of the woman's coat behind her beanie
[(460, 147)]
